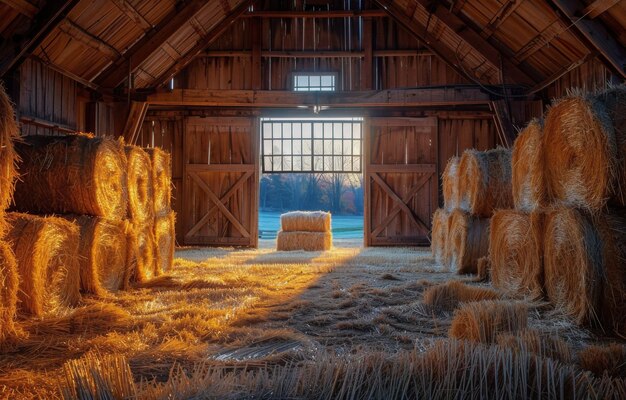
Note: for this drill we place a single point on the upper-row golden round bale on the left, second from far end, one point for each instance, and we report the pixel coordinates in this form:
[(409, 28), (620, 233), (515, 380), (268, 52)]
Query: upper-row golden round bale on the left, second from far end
[(139, 182)]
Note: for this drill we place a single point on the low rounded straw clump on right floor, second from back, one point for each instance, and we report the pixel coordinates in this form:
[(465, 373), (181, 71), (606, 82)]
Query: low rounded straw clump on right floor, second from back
[(482, 321)]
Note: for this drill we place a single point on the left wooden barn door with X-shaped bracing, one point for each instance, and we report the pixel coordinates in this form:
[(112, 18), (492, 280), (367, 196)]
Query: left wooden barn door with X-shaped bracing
[(221, 182)]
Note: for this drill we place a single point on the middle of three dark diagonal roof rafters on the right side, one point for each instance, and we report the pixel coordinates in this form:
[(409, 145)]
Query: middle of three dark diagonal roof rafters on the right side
[(493, 55)]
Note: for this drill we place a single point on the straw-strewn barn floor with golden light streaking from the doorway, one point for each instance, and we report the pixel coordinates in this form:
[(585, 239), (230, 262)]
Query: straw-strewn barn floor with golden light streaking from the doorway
[(253, 307)]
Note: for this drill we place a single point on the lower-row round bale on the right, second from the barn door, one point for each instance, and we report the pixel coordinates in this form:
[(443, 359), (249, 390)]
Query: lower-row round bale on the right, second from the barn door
[(468, 241)]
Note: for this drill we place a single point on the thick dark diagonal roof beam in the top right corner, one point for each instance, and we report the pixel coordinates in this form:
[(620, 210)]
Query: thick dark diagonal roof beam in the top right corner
[(595, 32)]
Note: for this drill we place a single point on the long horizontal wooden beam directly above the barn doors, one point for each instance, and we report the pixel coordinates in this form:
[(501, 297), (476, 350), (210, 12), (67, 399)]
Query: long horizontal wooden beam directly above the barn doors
[(288, 99)]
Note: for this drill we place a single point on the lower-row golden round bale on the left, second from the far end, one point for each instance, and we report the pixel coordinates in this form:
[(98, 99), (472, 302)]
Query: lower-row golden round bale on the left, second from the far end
[(141, 265)]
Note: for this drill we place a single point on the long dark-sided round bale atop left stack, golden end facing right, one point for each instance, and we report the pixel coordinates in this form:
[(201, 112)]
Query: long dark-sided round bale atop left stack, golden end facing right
[(72, 174)]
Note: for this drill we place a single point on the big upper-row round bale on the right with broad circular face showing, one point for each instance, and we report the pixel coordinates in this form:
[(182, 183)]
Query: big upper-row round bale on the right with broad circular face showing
[(581, 153)]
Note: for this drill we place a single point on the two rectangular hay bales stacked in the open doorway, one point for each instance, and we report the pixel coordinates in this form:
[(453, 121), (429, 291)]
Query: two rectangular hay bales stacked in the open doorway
[(302, 230)]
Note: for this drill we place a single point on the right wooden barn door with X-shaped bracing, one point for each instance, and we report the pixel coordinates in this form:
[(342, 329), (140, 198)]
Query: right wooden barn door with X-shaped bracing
[(401, 185)]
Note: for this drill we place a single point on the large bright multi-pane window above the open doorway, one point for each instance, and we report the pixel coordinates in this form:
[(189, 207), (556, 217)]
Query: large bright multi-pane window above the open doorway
[(315, 145)]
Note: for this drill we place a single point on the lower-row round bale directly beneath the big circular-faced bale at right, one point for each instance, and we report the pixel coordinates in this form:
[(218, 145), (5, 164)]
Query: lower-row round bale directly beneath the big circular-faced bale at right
[(573, 264)]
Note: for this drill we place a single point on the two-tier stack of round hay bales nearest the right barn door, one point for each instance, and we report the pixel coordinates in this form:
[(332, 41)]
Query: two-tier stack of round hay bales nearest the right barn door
[(474, 186)]
